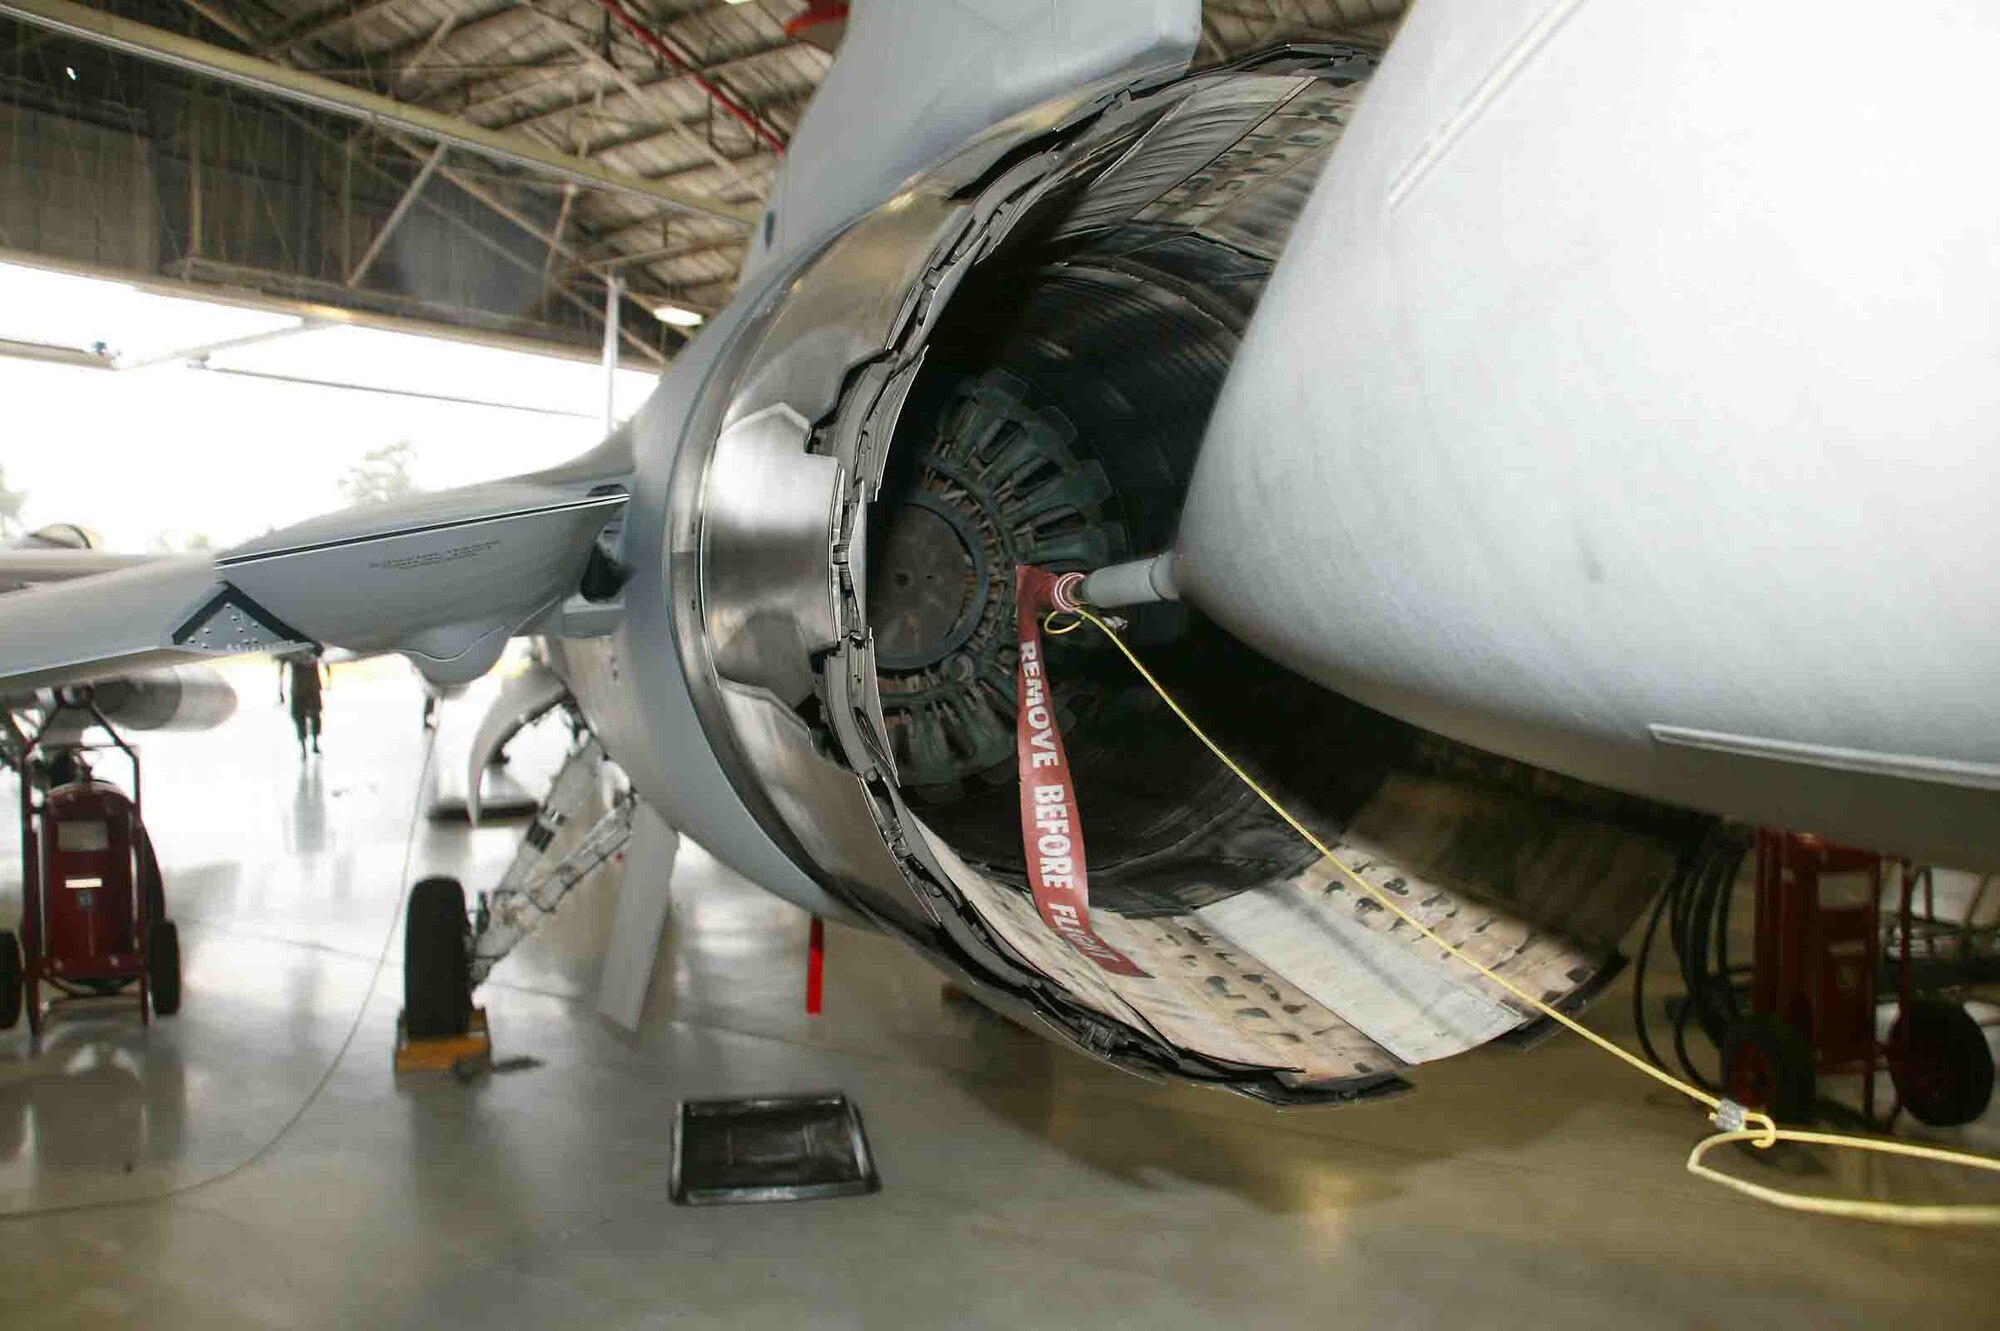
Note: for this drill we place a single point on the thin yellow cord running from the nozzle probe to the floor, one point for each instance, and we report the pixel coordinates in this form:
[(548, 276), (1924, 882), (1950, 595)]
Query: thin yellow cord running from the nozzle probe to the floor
[(1737, 1122)]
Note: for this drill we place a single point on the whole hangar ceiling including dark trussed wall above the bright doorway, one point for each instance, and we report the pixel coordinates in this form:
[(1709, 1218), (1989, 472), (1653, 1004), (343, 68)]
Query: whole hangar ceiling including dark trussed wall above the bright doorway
[(121, 163)]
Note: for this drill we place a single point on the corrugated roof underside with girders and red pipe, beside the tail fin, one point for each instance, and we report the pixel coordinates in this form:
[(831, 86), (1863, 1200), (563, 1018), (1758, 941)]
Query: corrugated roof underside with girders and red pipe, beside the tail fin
[(573, 77)]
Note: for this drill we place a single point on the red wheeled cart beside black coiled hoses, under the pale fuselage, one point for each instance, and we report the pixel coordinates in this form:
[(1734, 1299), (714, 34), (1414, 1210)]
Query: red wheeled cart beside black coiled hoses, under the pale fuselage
[(1817, 976)]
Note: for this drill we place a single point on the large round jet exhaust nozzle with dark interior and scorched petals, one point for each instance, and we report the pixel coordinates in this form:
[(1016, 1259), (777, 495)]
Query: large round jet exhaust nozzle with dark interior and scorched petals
[(1063, 313)]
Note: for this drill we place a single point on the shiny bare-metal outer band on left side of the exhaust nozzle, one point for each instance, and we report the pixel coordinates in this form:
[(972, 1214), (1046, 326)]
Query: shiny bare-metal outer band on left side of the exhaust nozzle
[(761, 529)]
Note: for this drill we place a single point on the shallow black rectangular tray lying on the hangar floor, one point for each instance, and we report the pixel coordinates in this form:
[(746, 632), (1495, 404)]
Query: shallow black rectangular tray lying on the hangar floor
[(771, 1148)]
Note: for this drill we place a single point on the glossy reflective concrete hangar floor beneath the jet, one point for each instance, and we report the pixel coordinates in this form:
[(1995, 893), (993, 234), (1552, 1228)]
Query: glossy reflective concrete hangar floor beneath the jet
[(253, 1162)]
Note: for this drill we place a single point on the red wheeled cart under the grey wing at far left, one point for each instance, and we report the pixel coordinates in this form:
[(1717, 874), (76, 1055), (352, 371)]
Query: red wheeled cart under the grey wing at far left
[(93, 922)]
